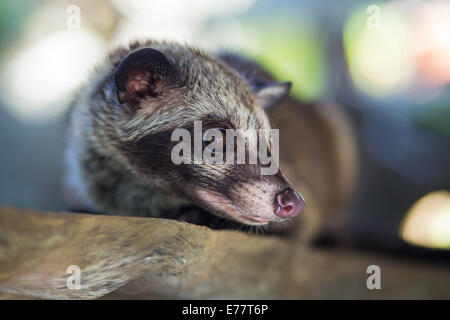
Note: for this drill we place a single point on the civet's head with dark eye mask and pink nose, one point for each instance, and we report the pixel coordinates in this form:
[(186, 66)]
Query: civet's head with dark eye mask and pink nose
[(154, 89)]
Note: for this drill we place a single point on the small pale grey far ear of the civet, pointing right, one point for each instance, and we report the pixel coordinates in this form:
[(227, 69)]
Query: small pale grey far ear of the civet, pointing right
[(269, 95)]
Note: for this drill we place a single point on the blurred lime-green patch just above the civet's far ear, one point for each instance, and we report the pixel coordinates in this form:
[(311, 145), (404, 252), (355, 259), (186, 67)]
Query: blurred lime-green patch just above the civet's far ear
[(292, 51)]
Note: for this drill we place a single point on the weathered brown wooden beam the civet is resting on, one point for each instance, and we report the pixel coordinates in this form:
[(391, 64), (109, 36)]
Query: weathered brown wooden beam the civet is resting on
[(147, 257)]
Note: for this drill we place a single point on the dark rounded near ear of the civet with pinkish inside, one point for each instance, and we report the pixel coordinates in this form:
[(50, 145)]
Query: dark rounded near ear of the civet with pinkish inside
[(143, 73)]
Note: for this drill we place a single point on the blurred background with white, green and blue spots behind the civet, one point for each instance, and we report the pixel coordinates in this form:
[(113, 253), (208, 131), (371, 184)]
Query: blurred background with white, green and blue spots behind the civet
[(387, 63)]
